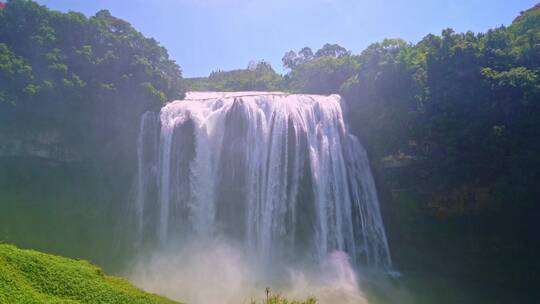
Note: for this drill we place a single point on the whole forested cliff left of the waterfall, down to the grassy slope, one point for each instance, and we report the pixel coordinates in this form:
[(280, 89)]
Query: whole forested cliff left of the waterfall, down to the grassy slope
[(72, 90)]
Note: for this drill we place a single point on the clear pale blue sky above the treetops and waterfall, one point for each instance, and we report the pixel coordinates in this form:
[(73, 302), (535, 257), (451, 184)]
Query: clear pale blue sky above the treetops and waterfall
[(206, 35)]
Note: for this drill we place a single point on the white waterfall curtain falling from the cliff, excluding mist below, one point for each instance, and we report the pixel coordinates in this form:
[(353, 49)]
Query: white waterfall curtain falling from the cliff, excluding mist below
[(277, 172)]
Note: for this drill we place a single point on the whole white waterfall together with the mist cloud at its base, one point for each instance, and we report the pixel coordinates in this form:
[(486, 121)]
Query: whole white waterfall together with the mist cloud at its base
[(237, 192)]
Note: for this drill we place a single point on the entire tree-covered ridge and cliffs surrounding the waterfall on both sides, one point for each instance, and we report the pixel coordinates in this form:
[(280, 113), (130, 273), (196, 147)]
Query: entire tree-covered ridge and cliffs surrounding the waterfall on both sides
[(451, 124)]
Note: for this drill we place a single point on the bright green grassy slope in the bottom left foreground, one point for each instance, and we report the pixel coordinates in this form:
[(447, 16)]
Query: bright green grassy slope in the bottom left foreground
[(27, 276)]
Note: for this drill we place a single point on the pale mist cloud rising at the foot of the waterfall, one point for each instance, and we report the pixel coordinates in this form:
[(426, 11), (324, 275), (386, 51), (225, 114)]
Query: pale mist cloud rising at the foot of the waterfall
[(214, 271)]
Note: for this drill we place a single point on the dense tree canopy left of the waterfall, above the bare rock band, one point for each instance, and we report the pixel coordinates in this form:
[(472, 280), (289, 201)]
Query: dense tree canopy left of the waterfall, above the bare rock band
[(90, 77)]
